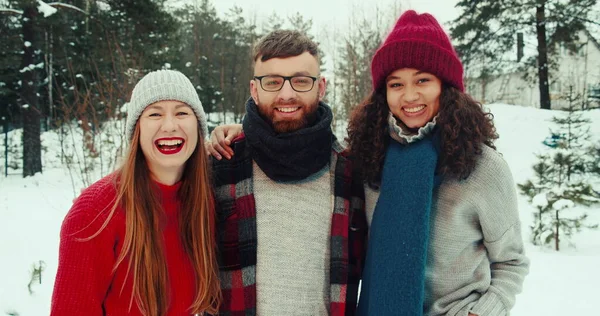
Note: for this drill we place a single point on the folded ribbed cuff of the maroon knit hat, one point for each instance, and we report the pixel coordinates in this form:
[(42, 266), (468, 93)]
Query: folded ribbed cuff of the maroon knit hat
[(419, 54)]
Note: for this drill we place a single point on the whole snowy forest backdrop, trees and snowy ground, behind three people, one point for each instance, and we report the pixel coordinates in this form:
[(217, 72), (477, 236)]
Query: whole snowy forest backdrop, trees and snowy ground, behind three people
[(67, 68)]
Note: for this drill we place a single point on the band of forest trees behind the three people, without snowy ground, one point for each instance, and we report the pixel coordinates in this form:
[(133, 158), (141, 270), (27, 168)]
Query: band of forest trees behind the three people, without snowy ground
[(76, 61)]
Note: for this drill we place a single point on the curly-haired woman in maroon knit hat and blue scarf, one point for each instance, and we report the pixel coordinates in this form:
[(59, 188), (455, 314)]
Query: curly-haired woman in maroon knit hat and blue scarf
[(445, 236)]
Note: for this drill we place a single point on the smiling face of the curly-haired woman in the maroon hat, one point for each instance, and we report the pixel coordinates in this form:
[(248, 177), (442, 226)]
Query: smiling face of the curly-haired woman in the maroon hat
[(413, 96)]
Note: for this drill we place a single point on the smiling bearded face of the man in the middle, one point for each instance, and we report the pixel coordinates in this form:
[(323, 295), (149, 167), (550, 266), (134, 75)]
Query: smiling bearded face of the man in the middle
[(288, 110)]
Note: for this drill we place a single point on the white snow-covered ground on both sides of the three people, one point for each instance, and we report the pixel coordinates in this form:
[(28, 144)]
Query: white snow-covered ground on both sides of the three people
[(32, 209)]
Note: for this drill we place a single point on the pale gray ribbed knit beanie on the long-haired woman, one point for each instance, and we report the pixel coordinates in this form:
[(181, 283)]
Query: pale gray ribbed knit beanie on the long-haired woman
[(162, 85)]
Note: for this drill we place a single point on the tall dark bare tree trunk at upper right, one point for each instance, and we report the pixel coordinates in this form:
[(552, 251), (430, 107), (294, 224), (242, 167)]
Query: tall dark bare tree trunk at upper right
[(540, 26)]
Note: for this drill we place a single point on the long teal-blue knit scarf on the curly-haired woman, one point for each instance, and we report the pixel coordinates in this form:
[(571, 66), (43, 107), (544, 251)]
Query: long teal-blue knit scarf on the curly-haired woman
[(394, 277)]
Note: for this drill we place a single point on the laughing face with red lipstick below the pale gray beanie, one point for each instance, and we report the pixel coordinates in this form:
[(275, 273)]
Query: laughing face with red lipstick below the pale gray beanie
[(168, 137)]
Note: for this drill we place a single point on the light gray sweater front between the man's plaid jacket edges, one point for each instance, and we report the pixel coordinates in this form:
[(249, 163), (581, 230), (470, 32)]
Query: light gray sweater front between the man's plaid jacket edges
[(286, 213)]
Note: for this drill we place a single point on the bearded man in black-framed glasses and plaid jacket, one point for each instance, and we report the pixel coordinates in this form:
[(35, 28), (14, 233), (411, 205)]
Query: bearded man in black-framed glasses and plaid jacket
[(291, 222)]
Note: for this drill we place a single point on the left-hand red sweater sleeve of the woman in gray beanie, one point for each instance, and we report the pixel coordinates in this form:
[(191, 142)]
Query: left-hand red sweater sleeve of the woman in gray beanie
[(84, 266)]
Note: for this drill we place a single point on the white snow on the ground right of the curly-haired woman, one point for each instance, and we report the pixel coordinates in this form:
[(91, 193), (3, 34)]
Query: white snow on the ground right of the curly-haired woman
[(564, 283)]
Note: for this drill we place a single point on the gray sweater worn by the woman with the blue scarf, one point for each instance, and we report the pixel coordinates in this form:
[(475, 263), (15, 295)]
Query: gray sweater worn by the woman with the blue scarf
[(475, 261)]
